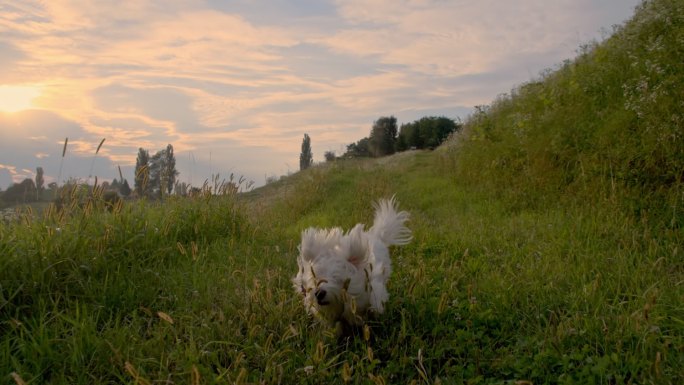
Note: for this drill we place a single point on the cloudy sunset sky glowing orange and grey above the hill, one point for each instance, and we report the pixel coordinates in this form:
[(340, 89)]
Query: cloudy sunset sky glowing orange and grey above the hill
[(234, 85)]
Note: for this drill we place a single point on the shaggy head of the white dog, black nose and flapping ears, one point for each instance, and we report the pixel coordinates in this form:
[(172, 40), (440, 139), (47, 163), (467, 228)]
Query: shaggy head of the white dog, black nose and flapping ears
[(327, 270)]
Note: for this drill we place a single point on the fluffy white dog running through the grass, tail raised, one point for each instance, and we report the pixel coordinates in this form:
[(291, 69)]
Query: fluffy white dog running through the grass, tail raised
[(341, 275)]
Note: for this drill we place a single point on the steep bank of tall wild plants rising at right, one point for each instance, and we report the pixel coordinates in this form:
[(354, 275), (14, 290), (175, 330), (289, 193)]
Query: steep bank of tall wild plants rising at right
[(608, 124)]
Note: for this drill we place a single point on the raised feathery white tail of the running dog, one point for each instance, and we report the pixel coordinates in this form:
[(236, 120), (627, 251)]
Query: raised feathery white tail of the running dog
[(389, 223)]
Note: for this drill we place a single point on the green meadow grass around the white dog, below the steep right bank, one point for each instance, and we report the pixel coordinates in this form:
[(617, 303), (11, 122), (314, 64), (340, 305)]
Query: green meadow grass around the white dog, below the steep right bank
[(486, 292)]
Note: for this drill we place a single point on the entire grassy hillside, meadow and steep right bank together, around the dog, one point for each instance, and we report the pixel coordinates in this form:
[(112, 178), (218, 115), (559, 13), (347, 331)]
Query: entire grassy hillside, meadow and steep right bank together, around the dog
[(547, 249)]
